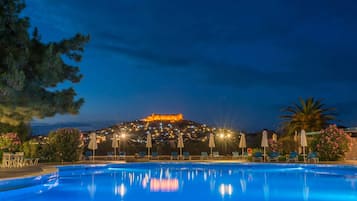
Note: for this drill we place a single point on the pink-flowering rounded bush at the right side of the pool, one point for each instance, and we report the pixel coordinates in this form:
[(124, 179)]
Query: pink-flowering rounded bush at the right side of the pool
[(333, 143)]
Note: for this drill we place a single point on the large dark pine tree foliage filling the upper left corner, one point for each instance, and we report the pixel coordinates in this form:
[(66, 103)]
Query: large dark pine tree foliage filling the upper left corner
[(30, 70)]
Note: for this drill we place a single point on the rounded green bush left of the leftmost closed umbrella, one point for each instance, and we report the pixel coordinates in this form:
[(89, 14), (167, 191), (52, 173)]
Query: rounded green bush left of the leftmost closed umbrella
[(65, 144)]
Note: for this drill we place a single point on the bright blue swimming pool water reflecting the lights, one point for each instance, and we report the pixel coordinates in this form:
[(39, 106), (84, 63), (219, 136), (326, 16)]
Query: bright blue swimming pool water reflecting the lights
[(188, 182)]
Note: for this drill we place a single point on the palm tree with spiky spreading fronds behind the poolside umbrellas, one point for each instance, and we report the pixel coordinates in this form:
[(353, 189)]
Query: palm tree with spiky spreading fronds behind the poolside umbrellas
[(310, 115)]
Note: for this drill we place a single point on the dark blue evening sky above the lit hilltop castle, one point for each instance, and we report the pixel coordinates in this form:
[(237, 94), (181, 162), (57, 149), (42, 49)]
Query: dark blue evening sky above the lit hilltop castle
[(224, 63)]
